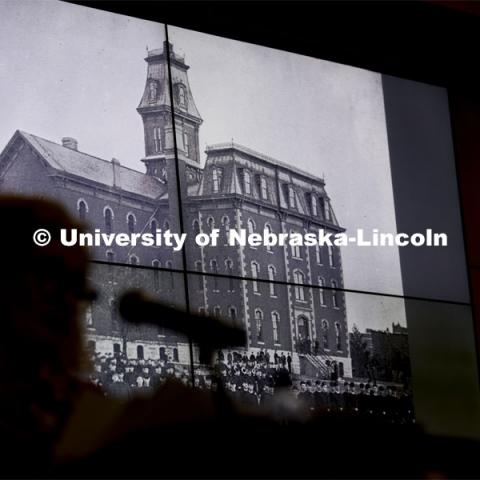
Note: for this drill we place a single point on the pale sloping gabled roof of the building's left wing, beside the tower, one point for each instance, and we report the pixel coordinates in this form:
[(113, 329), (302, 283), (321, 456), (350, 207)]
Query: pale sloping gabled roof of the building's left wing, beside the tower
[(79, 164)]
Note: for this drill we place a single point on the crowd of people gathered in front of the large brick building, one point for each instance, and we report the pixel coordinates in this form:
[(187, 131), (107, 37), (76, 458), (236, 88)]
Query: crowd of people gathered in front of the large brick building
[(253, 379)]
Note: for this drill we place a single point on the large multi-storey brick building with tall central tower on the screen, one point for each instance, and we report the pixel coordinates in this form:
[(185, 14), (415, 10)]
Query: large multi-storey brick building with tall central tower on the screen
[(236, 188)]
